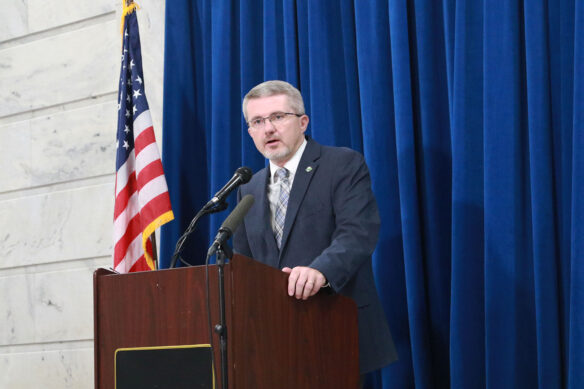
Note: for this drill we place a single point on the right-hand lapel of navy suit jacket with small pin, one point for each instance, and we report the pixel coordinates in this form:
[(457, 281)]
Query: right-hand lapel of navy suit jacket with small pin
[(306, 169)]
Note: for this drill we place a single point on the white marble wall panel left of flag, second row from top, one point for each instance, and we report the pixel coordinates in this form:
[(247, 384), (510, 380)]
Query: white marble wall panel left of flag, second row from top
[(62, 68)]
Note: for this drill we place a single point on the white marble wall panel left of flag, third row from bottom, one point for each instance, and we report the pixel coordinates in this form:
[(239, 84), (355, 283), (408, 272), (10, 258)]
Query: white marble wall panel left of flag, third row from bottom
[(57, 226)]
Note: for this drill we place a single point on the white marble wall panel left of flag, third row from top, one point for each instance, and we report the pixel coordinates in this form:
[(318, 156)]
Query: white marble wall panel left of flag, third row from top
[(64, 146)]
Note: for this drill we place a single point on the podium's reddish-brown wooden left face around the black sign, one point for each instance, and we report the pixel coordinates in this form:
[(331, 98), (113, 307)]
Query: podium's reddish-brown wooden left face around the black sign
[(151, 309)]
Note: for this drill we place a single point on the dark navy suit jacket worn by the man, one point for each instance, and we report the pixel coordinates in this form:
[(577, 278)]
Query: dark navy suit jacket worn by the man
[(331, 225)]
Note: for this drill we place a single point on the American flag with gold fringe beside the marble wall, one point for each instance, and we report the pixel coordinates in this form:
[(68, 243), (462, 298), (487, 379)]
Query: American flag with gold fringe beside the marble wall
[(142, 202)]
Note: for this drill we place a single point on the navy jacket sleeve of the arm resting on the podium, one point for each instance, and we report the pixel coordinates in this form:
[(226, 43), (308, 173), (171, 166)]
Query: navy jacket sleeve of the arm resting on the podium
[(356, 223)]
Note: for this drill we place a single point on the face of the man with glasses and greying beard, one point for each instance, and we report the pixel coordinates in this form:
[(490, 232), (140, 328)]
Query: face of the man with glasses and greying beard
[(277, 142)]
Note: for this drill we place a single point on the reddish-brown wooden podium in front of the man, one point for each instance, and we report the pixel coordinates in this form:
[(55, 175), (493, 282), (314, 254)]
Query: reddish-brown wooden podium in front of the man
[(274, 341)]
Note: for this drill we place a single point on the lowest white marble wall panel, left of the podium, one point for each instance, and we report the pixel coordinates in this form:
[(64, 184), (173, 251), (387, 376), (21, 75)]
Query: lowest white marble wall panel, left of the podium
[(59, 369)]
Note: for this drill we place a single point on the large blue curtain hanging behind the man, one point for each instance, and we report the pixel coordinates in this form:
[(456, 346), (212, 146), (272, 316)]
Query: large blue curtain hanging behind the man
[(470, 116)]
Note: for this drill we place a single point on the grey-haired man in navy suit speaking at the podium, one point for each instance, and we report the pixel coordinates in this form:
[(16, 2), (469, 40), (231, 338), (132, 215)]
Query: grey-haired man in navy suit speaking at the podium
[(314, 215)]
